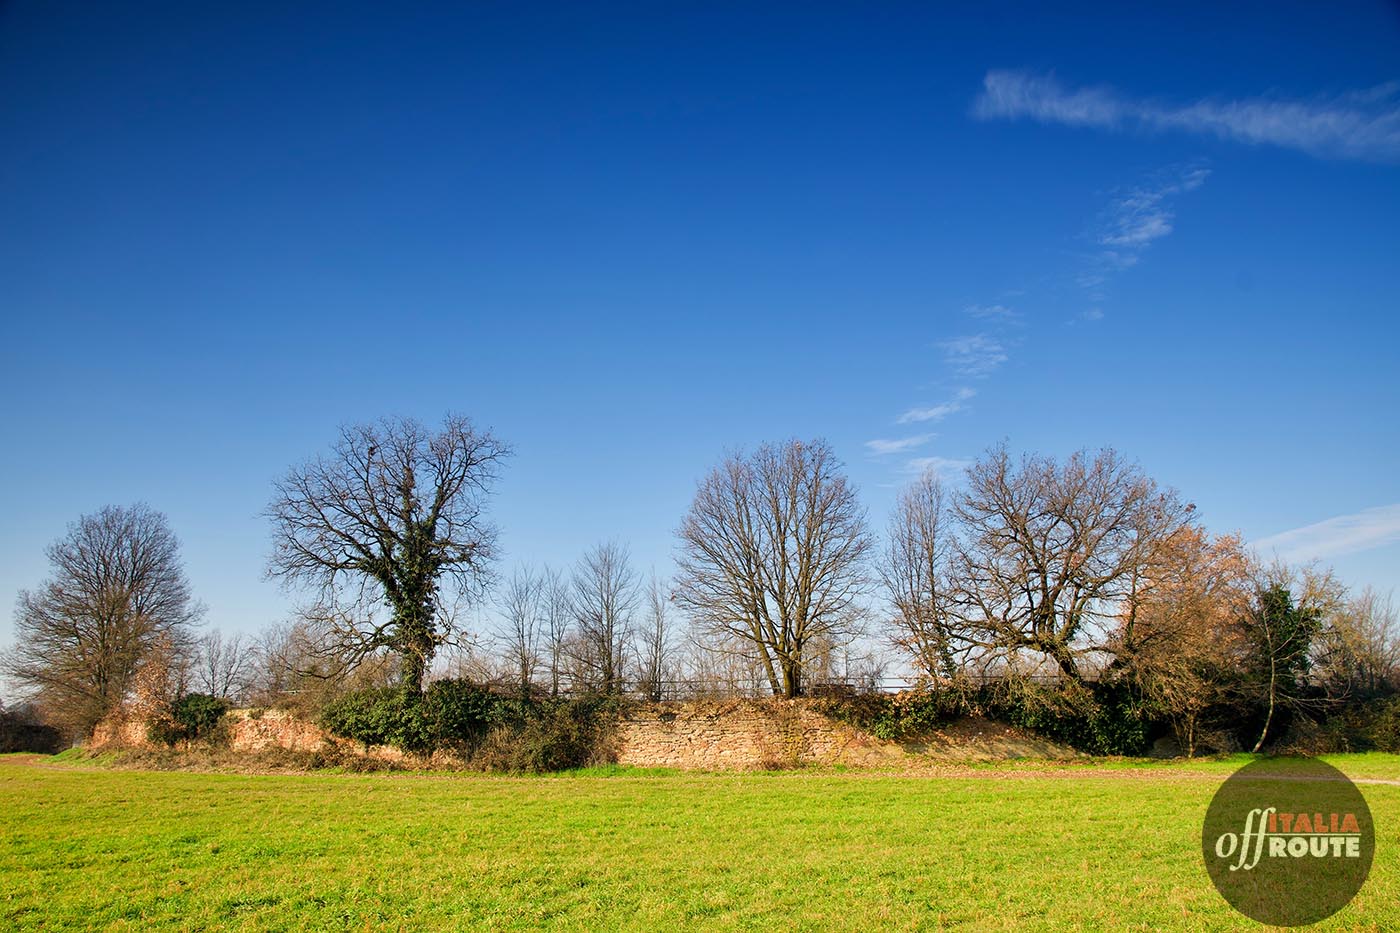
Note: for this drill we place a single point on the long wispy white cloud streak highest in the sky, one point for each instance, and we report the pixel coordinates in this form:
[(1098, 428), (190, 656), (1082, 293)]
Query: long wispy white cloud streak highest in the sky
[(1363, 125)]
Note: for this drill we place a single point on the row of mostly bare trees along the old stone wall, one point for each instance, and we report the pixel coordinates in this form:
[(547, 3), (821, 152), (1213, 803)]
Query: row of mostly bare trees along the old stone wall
[(1081, 572)]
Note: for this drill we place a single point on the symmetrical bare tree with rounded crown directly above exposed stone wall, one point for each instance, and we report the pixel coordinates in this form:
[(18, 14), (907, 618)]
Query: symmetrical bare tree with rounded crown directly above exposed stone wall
[(773, 553)]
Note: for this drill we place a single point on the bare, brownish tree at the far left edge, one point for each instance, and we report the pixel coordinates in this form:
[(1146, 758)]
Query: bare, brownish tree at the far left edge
[(118, 592)]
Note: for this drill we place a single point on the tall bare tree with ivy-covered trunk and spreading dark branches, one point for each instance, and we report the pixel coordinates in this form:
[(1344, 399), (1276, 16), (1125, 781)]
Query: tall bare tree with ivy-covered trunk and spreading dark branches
[(390, 532)]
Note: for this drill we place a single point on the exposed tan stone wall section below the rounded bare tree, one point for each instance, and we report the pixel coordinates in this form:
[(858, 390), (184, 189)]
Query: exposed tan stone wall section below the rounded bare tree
[(743, 735)]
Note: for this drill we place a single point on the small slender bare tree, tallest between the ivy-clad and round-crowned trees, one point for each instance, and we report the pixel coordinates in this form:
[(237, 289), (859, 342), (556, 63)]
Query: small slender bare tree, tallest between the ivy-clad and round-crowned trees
[(604, 602)]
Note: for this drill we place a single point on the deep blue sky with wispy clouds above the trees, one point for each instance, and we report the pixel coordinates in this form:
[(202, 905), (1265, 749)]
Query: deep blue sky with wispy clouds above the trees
[(629, 239)]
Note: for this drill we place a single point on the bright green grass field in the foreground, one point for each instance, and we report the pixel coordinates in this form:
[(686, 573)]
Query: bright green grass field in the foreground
[(1083, 848)]
